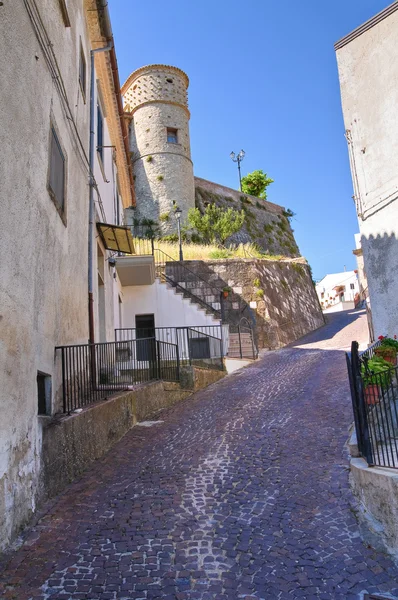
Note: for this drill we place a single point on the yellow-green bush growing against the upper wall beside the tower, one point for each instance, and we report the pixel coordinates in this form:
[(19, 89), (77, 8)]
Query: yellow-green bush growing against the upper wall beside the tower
[(216, 224)]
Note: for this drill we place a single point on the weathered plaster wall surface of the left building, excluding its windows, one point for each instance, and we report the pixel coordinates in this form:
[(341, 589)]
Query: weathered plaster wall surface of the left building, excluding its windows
[(43, 284)]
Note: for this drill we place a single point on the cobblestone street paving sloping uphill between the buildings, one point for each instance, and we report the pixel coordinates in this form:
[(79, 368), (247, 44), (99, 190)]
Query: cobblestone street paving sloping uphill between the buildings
[(241, 492)]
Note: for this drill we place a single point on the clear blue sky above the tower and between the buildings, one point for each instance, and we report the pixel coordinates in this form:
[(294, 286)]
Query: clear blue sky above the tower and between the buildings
[(263, 77)]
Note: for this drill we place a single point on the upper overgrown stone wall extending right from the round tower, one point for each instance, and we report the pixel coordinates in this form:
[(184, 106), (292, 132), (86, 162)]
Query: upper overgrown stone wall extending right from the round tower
[(266, 223)]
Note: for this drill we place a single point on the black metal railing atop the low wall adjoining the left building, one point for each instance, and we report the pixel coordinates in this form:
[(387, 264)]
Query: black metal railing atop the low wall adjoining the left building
[(91, 372)]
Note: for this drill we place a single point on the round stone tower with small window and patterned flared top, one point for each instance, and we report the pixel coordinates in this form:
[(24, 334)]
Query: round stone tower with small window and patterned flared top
[(156, 102)]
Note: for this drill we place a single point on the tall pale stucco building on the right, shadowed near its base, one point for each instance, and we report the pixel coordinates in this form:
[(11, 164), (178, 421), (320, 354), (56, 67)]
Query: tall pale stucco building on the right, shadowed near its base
[(368, 71)]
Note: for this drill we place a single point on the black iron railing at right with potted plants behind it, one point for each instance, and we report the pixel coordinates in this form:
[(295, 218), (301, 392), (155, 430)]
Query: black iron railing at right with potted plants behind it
[(374, 395)]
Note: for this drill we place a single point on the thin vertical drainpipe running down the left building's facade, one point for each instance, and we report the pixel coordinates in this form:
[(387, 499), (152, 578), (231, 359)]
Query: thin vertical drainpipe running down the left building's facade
[(91, 214)]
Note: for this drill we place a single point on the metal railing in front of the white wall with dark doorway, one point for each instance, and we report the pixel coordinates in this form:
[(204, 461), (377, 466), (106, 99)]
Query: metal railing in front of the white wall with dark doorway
[(201, 345)]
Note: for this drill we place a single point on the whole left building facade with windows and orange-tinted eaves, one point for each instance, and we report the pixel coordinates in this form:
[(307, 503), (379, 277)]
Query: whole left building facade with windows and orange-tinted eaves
[(46, 175)]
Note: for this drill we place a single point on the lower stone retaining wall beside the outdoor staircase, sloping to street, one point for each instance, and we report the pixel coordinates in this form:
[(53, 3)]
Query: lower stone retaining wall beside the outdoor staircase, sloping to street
[(276, 296)]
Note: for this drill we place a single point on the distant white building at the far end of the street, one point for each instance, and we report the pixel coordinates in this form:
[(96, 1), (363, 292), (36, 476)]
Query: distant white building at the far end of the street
[(338, 291)]
